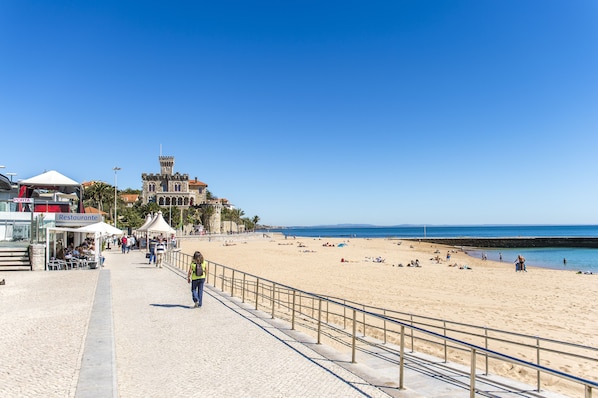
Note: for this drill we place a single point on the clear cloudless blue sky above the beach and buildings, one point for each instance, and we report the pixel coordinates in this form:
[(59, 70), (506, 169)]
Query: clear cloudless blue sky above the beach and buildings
[(315, 112)]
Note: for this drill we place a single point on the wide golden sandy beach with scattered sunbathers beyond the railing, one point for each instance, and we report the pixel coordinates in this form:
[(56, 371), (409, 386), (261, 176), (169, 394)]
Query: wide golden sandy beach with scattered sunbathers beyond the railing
[(553, 304)]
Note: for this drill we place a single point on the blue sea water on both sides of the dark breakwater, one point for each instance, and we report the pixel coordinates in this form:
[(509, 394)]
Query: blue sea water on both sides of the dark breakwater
[(574, 259)]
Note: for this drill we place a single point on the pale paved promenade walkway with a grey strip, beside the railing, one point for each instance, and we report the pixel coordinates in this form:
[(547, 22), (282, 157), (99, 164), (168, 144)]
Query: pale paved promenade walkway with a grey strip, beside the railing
[(130, 330)]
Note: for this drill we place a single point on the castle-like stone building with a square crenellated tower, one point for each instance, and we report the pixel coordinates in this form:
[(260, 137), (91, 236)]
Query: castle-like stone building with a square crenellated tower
[(172, 189)]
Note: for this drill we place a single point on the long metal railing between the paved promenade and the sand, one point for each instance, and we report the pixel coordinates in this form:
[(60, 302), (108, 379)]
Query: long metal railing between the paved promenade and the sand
[(349, 325)]
